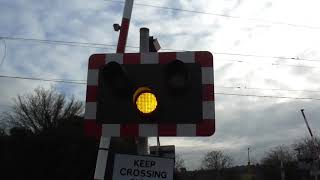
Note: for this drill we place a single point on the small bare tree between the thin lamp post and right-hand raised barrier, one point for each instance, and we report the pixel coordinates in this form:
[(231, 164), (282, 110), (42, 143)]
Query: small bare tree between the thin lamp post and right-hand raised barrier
[(276, 155)]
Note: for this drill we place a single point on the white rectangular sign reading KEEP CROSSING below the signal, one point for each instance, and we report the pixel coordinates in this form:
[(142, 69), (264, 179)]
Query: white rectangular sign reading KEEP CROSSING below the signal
[(133, 167)]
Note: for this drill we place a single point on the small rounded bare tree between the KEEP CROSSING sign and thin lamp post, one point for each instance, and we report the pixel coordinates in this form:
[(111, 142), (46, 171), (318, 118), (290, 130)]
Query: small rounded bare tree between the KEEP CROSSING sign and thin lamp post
[(216, 160)]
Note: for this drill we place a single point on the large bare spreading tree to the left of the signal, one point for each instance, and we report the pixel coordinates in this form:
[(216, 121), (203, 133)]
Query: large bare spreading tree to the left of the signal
[(42, 110)]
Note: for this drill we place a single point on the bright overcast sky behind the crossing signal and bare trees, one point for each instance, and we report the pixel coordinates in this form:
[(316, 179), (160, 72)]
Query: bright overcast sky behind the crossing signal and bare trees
[(273, 30)]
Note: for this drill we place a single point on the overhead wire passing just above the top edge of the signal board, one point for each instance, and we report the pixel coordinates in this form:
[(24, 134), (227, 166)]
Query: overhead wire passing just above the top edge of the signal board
[(99, 45)]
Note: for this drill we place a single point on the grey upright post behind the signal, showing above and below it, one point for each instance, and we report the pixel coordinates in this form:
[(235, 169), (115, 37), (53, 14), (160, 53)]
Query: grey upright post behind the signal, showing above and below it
[(142, 142)]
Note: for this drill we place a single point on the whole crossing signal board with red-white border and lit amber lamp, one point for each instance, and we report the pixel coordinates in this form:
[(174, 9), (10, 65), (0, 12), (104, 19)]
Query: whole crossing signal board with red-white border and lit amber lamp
[(150, 94)]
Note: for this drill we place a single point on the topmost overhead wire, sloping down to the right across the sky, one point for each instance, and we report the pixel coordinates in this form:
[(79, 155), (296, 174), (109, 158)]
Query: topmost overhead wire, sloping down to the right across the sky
[(222, 15)]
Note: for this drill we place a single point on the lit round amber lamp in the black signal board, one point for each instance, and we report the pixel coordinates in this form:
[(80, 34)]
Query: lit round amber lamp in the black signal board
[(146, 102)]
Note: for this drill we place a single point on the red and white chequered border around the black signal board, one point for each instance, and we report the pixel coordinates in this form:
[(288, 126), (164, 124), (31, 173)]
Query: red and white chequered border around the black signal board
[(205, 127)]
